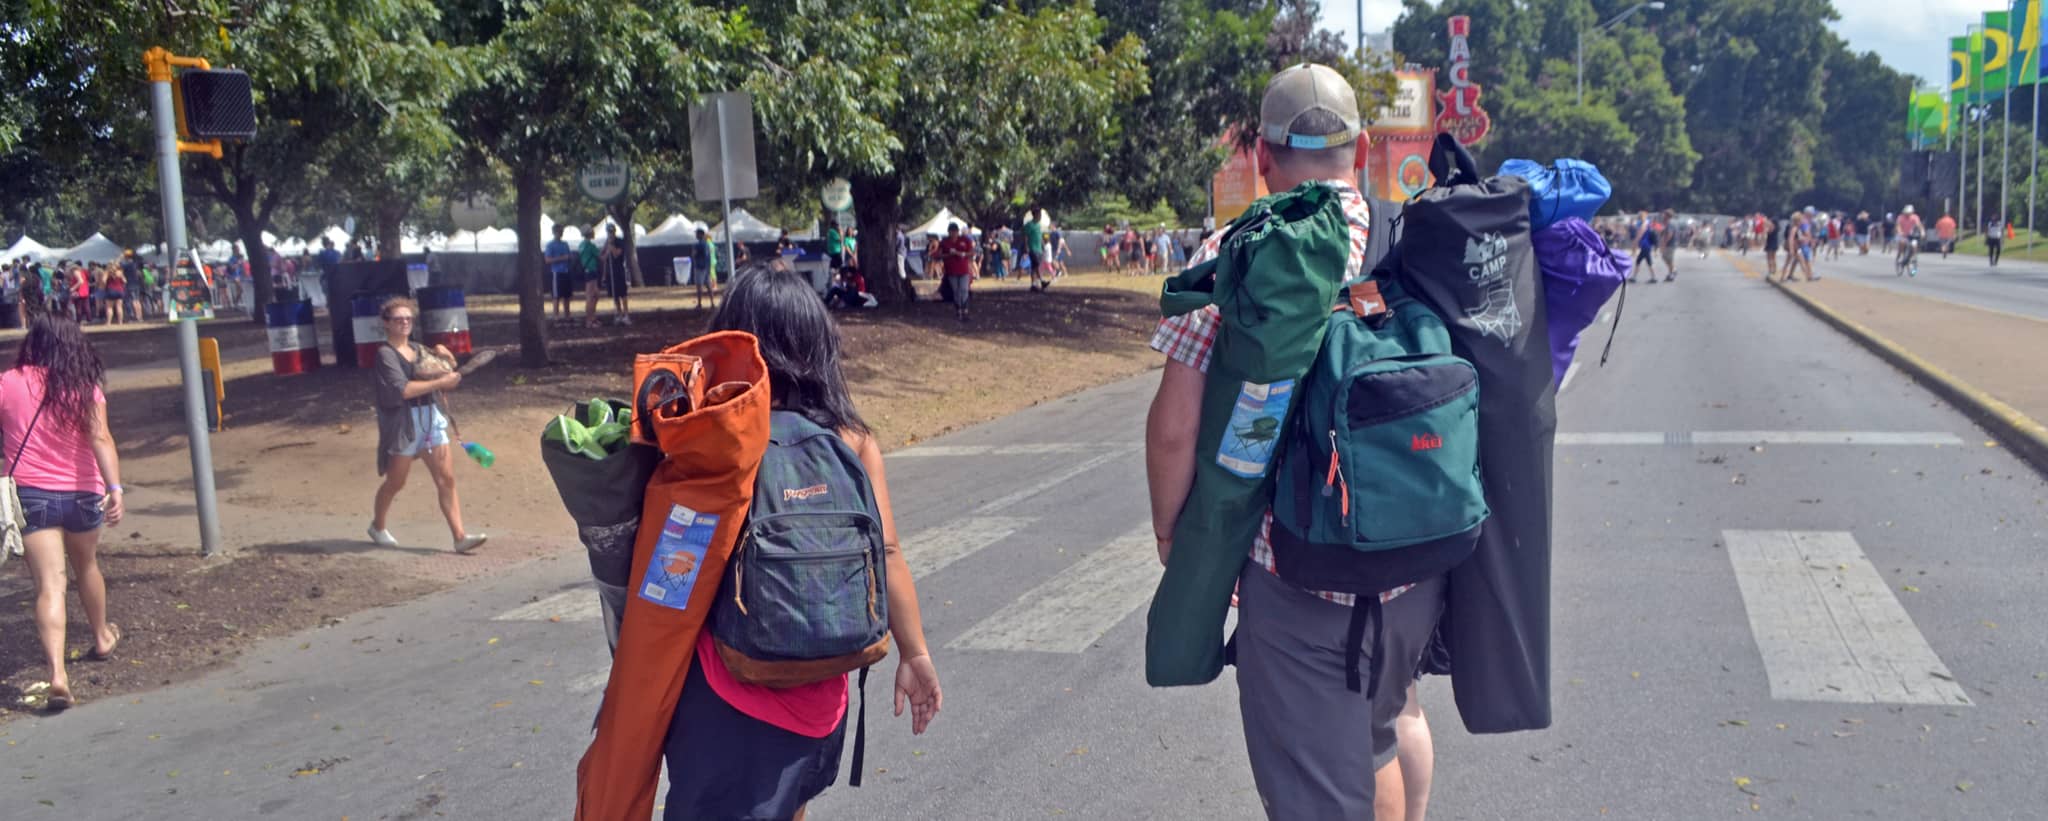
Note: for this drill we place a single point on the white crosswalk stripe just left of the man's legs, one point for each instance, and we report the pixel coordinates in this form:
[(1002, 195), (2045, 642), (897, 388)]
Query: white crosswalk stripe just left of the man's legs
[(1078, 605)]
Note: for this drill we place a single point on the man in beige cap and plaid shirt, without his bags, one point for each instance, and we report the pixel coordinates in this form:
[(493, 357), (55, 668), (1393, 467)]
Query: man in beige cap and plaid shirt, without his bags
[(1318, 748)]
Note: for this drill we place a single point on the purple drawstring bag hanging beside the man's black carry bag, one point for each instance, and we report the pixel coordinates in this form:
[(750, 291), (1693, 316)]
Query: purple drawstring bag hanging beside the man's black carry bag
[(1578, 277)]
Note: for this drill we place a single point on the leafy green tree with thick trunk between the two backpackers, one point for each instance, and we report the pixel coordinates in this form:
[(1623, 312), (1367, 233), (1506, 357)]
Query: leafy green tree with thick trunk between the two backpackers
[(964, 103)]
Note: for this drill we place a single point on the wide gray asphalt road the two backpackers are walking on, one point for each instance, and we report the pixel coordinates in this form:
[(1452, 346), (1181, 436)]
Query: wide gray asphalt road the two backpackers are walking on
[(1779, 562)]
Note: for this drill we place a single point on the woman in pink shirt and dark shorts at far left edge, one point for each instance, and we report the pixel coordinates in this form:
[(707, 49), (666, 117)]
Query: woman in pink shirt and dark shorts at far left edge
[(62, 458)]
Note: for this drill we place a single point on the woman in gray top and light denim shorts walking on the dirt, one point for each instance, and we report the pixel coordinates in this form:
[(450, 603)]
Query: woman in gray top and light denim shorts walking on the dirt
[(413, 423)]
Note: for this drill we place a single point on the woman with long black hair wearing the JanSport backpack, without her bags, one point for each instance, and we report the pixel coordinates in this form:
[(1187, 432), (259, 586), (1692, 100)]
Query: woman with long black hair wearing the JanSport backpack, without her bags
[(779, 748)]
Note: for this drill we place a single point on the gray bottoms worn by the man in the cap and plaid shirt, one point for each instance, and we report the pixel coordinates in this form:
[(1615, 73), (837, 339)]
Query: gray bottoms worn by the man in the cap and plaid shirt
[(1316, 744)]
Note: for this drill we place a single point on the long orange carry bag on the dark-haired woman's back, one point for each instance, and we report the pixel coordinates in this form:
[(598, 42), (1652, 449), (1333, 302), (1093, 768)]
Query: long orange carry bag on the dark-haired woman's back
[(706, 404)]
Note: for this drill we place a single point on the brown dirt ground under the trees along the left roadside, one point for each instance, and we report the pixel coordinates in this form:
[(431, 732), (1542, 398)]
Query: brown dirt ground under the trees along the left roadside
[(296, 466)]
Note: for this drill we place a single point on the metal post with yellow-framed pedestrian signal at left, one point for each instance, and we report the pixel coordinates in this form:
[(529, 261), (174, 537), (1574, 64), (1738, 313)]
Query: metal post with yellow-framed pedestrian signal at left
[(165, 112)]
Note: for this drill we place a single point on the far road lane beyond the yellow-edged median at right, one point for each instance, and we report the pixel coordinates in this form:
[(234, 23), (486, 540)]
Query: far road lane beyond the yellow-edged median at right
[(2014, 286)]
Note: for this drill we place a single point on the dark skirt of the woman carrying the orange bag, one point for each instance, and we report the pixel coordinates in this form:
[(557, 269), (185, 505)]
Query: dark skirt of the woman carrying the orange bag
[(738, 767)]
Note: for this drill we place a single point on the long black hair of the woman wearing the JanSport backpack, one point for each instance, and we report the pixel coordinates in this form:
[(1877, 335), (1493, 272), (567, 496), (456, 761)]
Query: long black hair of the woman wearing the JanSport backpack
[(798, 339)]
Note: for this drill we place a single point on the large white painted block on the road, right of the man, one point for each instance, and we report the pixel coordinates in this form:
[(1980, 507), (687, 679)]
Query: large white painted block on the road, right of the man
[(1830, 628)]
